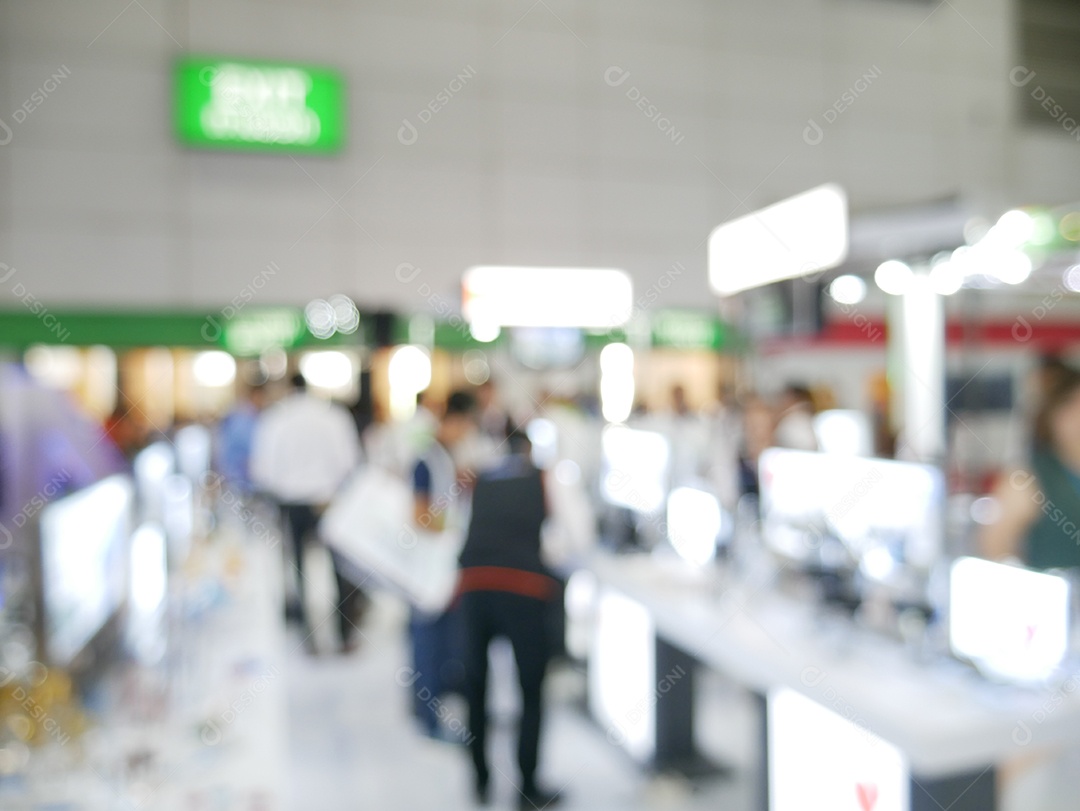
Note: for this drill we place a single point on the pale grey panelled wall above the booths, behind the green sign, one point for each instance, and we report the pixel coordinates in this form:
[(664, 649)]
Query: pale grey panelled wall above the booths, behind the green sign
[(536, 160)]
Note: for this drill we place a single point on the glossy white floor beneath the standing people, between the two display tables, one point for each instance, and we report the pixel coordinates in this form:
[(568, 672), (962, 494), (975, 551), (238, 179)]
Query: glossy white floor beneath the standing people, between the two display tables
[(355, 747)]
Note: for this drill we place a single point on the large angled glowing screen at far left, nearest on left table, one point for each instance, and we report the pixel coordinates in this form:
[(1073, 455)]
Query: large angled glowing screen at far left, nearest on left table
[(85, 540)]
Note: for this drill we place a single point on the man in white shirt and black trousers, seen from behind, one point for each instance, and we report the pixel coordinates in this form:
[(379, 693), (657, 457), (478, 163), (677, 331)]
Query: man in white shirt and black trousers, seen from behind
[(304, 449)]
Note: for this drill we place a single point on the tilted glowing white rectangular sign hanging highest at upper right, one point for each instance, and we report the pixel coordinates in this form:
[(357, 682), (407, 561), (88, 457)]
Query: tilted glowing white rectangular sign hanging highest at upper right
[(794, 238)]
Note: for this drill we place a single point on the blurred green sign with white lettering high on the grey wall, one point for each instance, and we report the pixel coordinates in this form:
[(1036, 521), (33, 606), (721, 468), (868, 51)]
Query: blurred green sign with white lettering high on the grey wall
[(239, 104)]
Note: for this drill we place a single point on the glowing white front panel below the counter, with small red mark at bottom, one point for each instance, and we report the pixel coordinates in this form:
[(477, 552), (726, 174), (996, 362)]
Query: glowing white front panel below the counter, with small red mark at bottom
[(820, 761)]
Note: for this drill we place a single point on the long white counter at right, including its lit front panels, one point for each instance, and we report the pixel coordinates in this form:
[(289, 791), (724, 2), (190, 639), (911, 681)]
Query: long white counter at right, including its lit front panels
[(944, 731)]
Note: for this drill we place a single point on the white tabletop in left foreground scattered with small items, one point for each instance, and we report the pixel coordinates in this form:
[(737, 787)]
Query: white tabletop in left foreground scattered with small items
[(206, 729)]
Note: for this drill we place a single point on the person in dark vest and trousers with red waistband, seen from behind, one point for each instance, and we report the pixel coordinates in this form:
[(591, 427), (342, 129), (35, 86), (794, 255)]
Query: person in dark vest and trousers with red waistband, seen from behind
[(505, 591)]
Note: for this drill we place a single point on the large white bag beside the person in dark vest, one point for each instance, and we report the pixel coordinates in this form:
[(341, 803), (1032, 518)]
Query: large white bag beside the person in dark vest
[(370, 523)]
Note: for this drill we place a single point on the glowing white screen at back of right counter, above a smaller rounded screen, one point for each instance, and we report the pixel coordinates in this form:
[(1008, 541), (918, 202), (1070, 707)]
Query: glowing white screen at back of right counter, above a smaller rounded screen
[(634, 469)]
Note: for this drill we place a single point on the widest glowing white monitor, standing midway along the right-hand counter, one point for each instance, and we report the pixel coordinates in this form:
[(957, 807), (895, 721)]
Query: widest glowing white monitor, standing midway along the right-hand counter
[(873, 507)]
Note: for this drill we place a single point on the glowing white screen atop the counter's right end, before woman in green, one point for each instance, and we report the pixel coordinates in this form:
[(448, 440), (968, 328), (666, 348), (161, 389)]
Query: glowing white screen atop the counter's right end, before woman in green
[(1011, 623)]
